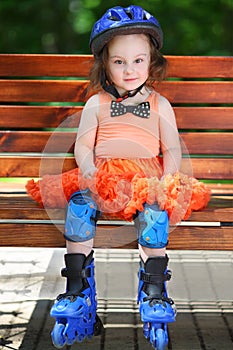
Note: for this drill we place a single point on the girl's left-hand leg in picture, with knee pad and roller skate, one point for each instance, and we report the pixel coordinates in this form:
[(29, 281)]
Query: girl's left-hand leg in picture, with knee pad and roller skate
[(75, 310)]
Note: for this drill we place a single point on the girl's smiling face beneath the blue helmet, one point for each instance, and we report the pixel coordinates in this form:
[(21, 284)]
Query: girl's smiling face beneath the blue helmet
[(128, 61)]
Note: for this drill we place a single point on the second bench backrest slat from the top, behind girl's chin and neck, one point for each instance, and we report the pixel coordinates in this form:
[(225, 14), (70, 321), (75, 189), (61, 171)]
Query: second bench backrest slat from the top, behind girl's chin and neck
[(67, 91)]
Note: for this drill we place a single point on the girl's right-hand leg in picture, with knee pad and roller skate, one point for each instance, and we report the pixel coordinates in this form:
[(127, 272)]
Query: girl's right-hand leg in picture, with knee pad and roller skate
[(155, 307)]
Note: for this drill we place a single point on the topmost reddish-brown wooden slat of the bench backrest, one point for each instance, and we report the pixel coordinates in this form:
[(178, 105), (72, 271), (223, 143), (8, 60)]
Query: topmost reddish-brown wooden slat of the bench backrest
[(79, 65)]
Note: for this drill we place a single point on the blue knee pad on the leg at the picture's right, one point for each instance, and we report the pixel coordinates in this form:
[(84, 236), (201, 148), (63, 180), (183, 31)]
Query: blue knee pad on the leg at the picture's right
[(152, 226)]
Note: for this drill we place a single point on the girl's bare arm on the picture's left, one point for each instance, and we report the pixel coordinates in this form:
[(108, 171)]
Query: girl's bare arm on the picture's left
[(85, 142)]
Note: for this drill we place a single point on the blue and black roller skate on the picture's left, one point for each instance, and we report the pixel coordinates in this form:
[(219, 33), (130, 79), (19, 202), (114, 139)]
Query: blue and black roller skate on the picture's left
[(75, 310)]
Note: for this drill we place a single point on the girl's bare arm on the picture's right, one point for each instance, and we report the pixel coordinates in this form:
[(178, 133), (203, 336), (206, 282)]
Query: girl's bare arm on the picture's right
[(169, 138)]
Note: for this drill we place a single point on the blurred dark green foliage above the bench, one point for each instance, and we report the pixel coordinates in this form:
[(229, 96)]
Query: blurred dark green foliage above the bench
[(191, 27)]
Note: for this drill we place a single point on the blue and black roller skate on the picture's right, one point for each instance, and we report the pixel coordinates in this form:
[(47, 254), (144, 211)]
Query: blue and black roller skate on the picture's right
[(155, 308)]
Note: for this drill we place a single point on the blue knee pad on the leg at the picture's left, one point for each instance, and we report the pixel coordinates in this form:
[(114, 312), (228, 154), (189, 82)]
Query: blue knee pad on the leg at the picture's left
[(81, 217)]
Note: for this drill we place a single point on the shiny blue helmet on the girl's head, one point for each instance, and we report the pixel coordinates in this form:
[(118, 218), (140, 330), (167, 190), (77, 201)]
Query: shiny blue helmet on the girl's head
[(120, 21)]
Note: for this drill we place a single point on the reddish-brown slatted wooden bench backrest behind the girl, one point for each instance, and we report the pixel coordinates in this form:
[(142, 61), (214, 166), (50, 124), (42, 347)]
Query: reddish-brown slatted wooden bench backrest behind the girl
[(42, 97)]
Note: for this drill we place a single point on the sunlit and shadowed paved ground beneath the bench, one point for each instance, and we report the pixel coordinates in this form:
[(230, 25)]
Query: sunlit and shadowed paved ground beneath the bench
[(202, 286)]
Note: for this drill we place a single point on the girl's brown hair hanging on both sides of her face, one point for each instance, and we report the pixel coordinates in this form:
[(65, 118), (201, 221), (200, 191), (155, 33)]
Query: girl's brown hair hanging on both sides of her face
[(157, 69)]
